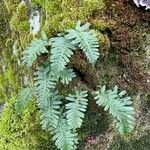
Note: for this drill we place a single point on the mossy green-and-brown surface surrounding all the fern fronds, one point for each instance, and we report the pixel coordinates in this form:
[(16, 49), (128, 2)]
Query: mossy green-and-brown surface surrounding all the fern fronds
[(120, 27)]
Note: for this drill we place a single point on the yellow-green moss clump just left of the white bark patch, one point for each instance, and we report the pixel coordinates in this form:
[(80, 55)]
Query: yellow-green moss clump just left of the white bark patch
[(19, 20)]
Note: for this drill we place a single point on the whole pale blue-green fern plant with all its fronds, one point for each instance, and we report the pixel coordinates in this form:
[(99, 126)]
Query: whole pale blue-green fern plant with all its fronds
[(61, 115)]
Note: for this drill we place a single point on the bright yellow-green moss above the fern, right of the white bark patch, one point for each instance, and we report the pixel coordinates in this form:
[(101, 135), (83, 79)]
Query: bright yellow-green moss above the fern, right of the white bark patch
[(62, 15)]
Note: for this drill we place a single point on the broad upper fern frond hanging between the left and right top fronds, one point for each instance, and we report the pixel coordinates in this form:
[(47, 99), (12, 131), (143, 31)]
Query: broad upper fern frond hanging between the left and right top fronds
[(61, 51)]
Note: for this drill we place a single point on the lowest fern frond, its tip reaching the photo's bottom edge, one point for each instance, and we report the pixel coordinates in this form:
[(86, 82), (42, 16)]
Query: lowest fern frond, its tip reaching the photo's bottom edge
[(64, 137)]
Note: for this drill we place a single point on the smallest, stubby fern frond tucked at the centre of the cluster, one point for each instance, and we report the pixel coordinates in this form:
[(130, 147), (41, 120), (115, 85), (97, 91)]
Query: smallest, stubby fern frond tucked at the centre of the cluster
[(66, 76)]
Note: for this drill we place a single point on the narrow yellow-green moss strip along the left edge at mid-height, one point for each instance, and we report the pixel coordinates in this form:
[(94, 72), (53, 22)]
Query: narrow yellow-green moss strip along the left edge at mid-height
[(9, 77)]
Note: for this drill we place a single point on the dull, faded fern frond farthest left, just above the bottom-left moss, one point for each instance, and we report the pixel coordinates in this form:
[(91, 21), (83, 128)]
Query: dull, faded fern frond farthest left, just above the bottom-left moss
[(25, 96)]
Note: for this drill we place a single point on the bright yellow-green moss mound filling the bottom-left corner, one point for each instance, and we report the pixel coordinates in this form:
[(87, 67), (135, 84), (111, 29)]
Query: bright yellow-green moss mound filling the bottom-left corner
[(23, 132)]
